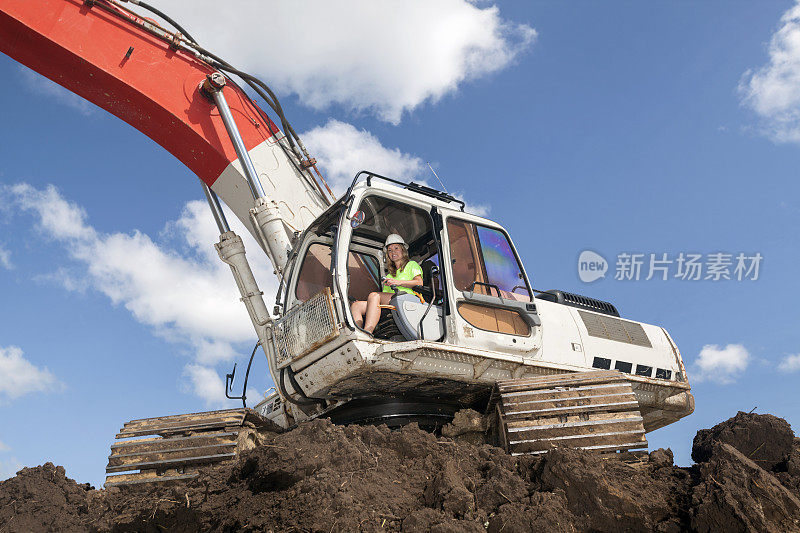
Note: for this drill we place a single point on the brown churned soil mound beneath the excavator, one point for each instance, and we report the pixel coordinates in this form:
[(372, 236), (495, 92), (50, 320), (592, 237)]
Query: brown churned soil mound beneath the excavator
[(322, 477)]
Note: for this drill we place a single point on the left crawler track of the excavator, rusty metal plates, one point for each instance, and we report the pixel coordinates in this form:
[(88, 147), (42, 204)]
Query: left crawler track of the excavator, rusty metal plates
[(177, 445)]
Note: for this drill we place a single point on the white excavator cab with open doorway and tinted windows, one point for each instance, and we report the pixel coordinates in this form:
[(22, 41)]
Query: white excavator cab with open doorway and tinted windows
[(475, 291)]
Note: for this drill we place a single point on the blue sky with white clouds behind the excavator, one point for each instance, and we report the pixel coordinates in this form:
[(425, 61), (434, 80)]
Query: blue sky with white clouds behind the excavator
[(617, 127)]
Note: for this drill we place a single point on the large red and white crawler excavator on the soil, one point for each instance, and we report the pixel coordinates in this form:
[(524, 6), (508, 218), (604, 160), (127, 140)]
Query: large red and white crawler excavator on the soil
[(541, 369)]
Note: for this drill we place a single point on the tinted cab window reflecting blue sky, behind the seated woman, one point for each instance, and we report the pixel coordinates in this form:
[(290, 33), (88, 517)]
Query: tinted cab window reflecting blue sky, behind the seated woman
[(484, 262)]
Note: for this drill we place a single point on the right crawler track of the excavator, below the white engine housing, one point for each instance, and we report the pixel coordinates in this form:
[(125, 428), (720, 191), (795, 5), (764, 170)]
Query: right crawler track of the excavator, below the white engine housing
[(595, 410)]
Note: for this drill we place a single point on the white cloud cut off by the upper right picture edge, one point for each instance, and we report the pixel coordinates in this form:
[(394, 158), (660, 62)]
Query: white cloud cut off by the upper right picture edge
[(773, 90)]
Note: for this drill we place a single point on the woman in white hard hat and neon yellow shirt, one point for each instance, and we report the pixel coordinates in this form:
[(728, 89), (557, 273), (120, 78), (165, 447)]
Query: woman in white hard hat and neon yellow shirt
[(402, 275)]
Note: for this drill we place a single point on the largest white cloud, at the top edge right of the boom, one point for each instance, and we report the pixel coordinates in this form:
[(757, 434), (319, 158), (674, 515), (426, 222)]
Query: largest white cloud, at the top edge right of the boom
[(381, 56)]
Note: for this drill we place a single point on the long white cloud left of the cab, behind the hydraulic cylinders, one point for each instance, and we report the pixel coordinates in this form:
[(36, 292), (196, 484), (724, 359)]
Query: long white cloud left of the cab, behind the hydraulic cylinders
[(180, 288)]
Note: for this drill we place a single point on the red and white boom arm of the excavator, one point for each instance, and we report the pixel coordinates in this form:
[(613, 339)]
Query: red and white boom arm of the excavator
[(148, 77)]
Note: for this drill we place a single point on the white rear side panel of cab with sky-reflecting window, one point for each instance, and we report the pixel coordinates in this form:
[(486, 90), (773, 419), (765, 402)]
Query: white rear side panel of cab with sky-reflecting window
[(491, 305)]
